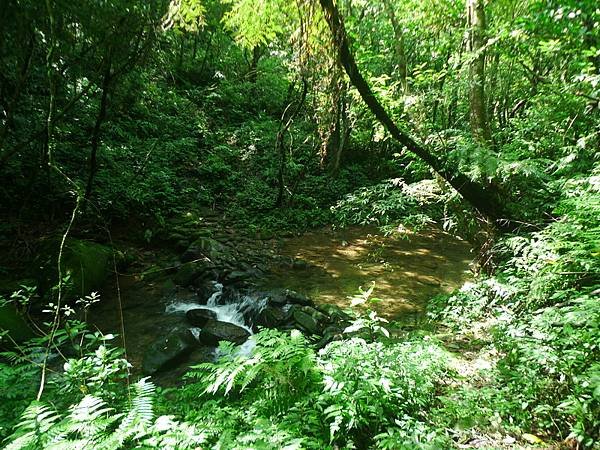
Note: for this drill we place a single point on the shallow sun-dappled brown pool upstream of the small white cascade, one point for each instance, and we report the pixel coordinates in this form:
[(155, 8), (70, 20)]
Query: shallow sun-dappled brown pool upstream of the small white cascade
[(406, 271)]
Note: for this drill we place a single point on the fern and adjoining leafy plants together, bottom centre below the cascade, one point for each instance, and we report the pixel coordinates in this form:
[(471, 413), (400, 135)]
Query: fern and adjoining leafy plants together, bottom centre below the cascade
[(284, 394)]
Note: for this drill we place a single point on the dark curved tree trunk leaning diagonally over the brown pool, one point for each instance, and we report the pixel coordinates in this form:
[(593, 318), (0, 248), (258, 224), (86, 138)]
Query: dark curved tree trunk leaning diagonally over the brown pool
[(484, 199)]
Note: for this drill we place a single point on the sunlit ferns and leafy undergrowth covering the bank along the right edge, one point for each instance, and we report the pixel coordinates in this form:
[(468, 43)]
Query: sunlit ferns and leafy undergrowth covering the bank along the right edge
[(543, 311)]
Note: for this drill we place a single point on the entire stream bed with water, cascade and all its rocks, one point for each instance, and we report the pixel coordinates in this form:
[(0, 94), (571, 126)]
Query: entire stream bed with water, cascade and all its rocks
[(225, 287)]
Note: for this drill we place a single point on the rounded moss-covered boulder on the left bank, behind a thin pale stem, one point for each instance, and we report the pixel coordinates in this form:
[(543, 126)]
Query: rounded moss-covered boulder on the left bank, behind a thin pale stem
[(88, 265)]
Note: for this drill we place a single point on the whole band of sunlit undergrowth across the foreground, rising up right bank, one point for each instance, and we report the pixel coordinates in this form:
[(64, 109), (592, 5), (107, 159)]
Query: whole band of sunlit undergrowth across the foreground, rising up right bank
[(538, 315)]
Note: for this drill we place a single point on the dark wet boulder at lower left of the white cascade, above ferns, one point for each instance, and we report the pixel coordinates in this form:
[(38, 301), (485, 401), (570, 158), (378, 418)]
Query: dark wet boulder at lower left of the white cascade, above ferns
[(167, 350)]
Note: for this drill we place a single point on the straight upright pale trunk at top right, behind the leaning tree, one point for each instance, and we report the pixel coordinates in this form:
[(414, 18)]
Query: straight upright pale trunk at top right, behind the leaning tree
[(476, 47)]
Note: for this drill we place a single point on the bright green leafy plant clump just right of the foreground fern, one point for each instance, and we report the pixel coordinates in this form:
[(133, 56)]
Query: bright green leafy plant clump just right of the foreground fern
[(367, 386)]
